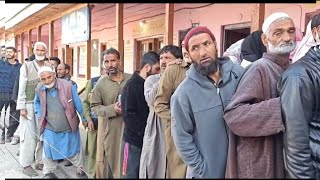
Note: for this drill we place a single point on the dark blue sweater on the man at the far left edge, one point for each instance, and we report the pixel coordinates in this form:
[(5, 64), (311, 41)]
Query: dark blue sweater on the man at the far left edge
[(8, 75)]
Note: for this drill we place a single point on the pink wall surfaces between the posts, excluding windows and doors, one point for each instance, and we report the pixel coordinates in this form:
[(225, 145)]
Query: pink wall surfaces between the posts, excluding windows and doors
[(213, 16)]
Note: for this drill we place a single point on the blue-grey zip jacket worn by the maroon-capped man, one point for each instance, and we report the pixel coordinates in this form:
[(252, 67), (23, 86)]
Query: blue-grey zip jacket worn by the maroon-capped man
[(198, 128)]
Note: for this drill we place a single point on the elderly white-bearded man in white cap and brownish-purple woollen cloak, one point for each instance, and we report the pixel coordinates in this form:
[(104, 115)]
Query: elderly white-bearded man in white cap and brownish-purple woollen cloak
[(254, 112)]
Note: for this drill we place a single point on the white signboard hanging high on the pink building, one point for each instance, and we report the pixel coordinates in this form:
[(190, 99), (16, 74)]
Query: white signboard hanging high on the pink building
[(75, 26)]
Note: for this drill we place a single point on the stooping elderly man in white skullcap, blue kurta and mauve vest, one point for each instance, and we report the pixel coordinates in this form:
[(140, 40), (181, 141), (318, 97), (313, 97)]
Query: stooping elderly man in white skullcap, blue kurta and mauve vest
[(56, 102)]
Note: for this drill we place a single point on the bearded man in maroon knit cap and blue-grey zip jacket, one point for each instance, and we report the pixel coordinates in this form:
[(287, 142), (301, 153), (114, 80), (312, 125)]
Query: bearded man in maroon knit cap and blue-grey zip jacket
[(198, 129)]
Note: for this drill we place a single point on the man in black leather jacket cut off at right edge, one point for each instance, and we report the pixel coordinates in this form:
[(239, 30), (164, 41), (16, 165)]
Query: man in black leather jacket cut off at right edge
[(299, 89)]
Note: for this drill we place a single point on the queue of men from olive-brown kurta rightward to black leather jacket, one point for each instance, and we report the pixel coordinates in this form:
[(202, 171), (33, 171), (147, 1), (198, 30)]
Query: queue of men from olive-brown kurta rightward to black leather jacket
[(209, 117)]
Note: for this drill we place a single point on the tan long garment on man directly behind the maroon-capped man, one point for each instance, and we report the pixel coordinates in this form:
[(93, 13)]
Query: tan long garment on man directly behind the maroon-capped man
[(169, 81)]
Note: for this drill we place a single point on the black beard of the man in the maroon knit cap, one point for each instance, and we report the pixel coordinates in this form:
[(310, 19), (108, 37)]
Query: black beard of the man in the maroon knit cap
[(209, 69)]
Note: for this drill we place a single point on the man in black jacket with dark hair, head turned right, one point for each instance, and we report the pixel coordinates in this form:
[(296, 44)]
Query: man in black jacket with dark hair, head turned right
[(135, 113)]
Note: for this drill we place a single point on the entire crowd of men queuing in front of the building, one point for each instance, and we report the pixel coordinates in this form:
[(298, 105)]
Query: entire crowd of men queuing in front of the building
[(187, 113)]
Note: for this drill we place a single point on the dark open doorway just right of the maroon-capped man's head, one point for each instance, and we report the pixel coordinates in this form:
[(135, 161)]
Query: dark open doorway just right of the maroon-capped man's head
[(232, 33)]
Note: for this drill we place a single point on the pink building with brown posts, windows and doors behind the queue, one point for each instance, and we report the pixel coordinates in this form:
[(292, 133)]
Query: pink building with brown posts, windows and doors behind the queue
[(145, 27)]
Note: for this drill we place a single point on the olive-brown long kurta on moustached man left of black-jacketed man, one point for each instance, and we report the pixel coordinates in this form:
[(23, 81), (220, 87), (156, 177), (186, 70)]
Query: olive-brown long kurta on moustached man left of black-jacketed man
[(110, 126)]
